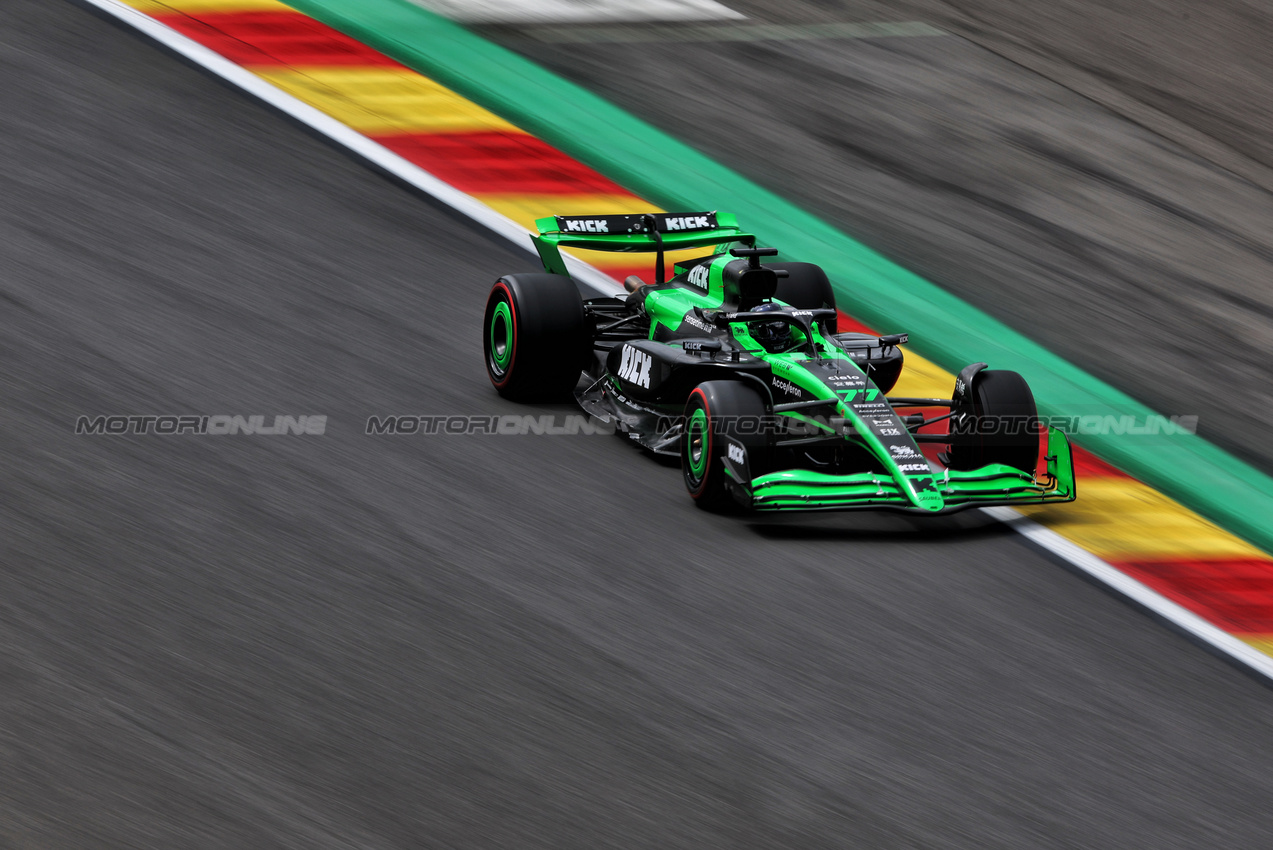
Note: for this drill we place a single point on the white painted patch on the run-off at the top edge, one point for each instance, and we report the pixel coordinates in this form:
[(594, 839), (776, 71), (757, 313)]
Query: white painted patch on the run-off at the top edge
[(556, 12)]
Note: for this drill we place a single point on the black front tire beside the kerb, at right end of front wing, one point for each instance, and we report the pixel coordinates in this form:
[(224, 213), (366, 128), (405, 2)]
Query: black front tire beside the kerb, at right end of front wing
[(997, 423)]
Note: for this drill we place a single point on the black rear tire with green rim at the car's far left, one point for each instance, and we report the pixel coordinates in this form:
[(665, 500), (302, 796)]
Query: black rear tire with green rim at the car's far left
[(535, 338)]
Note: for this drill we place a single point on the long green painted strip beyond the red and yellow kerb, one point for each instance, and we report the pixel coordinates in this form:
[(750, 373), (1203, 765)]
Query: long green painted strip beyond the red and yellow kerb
[(675, 176)]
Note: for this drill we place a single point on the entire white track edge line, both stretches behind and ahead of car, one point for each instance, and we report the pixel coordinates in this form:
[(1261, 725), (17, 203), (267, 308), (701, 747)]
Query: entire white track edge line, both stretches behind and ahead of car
[(603, 283)]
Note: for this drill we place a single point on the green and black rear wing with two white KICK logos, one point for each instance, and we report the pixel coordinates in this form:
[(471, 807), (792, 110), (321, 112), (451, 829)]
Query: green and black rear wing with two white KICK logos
[(646, 232)]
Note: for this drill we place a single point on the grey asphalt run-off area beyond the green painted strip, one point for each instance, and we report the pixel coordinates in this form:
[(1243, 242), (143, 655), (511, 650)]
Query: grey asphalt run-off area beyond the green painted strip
[(1095, 175)]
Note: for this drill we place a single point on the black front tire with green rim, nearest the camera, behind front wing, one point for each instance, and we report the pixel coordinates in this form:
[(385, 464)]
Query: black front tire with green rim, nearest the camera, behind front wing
[(715, 412)]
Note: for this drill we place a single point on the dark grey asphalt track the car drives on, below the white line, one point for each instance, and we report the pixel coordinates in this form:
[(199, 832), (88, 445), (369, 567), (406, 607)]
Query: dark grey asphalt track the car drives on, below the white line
[(346, 641)]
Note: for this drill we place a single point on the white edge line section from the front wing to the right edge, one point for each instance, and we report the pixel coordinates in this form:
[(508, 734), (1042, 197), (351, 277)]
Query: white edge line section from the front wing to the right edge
[(1135, 591)]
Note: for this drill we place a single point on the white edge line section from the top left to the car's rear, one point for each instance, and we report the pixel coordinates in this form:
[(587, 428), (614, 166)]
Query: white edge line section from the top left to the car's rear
[(349, 138)]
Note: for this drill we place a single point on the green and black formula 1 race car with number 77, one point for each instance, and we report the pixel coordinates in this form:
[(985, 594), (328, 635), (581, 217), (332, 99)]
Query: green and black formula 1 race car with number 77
[(736, 366)]
